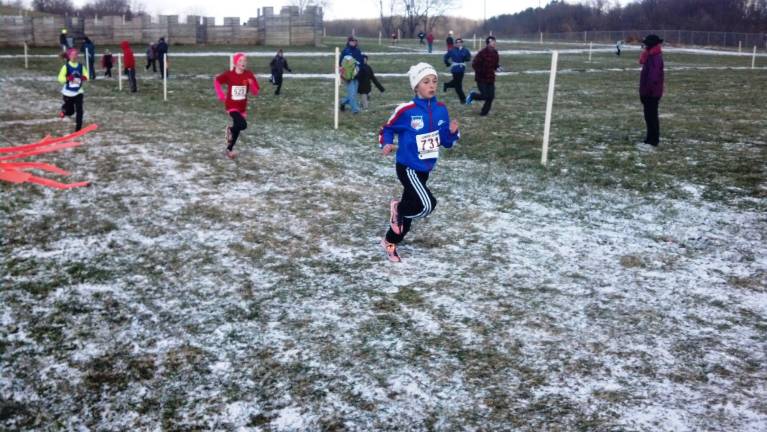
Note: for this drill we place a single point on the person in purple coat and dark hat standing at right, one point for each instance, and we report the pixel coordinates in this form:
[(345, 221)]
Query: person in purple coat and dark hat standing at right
[(651, 86)]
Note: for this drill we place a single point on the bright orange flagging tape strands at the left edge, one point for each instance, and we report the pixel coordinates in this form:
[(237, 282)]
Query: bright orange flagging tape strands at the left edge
[(15, 172)]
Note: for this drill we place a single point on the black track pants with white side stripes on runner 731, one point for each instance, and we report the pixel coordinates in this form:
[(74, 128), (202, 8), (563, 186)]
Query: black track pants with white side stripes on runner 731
[(416, 202)]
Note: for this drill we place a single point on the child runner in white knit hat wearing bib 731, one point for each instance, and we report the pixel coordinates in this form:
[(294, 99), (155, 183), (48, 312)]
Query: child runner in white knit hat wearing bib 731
[(422, 126)]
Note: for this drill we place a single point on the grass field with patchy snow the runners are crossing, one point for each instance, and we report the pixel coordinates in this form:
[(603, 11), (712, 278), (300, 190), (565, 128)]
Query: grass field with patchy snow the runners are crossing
[(614, 290)]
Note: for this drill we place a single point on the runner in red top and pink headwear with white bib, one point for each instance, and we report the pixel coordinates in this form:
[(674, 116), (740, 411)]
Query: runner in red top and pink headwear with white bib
[(238, 80)]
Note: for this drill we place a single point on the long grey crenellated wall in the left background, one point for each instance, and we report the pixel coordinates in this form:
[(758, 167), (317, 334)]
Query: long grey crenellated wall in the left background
[(288, 28)]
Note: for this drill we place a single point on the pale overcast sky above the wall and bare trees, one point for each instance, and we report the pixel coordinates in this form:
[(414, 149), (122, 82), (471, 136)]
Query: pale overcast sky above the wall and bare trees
[(338, 8)]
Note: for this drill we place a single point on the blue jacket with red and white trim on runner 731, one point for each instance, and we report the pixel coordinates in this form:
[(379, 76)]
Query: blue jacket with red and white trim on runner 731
[(413, 120)]
